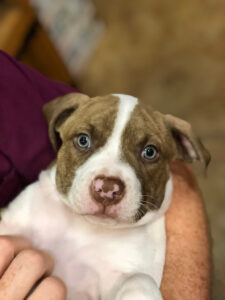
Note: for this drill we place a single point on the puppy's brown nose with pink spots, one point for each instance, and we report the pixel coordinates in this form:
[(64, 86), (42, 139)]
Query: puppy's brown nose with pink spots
[(107, 190)]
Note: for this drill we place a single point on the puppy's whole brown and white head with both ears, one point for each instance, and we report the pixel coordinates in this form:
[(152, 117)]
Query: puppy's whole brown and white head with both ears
[(113, 161)]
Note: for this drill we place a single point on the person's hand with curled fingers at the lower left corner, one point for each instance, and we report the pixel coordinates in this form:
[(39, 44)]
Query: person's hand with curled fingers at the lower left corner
[(25, 272)]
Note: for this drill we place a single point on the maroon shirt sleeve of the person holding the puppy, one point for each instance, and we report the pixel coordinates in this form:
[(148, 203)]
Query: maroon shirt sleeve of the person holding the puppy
[(24, 145)]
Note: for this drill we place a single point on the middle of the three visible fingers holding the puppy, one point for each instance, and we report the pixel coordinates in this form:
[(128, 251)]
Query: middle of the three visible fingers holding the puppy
[(24, 271)]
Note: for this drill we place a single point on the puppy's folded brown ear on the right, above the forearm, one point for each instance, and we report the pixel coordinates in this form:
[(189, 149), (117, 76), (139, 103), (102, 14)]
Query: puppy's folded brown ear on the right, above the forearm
[(188, 146)]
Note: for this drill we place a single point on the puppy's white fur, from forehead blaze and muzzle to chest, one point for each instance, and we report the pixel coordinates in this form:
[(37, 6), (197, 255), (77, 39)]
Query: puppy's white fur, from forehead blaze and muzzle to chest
[(123, 262)]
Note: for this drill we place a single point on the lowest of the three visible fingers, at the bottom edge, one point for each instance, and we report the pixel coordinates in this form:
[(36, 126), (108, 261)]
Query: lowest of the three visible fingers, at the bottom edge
[(49, 288)]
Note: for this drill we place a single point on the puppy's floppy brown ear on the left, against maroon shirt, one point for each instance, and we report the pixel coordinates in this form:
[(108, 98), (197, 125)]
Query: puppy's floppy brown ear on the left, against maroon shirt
[(57, 111)]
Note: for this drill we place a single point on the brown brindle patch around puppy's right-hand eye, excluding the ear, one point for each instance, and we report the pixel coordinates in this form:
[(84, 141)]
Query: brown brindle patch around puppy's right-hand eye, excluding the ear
[(143, 129)]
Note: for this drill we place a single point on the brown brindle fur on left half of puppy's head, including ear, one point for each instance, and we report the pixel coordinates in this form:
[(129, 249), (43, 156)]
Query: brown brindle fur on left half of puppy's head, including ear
[(95, 117)]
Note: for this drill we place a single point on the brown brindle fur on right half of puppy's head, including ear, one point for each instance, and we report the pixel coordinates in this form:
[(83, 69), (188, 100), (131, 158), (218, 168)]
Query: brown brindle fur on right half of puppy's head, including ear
[(146, 127)]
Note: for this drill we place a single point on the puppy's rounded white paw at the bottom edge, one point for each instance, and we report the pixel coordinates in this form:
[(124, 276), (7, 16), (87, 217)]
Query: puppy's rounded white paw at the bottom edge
[(140, 287)]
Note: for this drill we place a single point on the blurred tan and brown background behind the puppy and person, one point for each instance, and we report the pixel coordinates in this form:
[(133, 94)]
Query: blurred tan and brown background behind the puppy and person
[(171, 54)]
